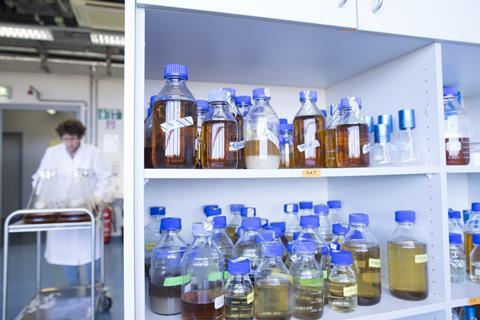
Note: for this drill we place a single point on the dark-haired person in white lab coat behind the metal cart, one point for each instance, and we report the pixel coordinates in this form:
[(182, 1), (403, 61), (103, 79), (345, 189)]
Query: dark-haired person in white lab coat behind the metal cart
[(72, 249)]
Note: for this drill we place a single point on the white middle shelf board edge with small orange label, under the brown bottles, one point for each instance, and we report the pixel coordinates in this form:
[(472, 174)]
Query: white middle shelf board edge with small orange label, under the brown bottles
[(285, 173)]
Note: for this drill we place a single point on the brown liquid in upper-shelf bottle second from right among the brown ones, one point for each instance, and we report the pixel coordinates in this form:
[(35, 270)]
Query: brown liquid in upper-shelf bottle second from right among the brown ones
[(307, 129)]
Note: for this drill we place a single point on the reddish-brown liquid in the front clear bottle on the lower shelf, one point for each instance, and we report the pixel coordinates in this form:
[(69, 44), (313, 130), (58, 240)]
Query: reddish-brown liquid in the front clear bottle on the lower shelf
[(200, 305)]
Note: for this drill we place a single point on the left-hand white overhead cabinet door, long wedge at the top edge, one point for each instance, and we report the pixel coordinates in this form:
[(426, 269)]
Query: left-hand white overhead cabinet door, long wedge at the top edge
[(338, 13)]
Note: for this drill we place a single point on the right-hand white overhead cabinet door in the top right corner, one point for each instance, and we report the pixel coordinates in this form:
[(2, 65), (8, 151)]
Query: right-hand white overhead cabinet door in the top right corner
[(454, 20)]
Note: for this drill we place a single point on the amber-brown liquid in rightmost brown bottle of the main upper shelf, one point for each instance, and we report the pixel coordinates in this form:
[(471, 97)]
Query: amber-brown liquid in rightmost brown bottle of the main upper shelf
[(352, 144)]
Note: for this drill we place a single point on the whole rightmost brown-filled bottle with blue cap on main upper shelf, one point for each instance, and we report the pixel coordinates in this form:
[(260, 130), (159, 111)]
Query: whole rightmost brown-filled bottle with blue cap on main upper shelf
[(352, 136)]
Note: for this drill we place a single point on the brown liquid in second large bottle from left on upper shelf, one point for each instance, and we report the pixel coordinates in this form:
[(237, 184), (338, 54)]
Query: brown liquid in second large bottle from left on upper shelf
[(217, 152)]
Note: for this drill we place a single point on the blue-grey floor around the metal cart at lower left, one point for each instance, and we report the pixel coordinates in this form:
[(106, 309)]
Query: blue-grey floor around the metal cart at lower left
[(22, 275)]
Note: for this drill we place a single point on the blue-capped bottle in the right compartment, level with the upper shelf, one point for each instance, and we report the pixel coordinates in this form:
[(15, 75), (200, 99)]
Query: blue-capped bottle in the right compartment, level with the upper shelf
[(457, 140)]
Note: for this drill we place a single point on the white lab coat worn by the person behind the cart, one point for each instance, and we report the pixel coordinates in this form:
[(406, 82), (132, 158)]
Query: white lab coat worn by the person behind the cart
[(73, 248)]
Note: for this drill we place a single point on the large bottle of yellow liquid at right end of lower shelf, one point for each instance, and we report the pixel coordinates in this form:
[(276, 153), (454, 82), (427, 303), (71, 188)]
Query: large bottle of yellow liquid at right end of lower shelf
[(407, 259)]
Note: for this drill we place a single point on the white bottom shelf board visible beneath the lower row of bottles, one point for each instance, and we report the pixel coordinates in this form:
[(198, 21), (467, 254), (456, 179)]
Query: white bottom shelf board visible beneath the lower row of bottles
[(389, 308)]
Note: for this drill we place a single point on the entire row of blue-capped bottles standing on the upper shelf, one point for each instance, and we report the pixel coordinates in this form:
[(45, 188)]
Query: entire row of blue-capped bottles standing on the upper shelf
[(230, 131)]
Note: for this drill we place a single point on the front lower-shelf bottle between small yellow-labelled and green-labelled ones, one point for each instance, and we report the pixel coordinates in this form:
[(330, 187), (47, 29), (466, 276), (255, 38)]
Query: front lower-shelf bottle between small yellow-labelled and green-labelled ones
[(273, 285)]
